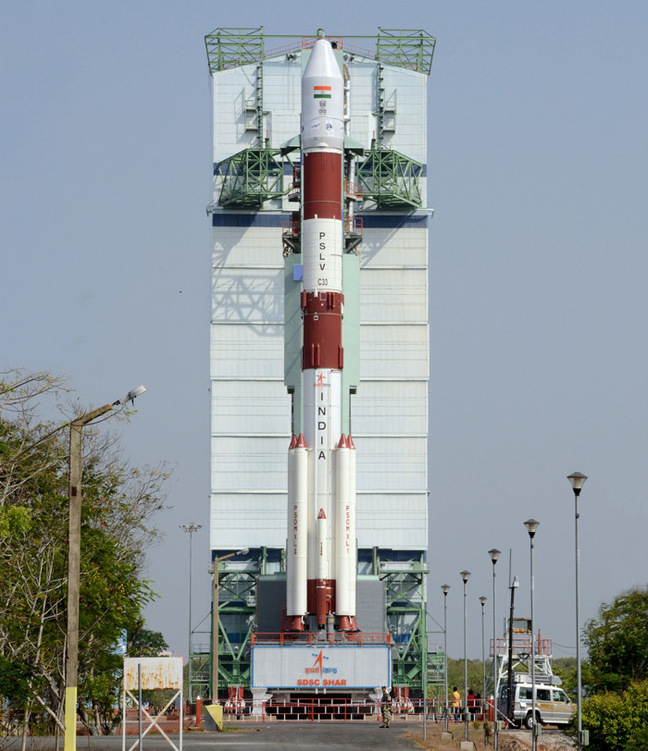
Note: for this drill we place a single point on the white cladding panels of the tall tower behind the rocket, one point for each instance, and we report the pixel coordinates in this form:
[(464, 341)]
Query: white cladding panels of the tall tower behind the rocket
[(250, 407)]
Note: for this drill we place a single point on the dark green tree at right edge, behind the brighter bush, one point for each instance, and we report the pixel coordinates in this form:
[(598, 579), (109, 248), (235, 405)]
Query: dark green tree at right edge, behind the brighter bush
[(617, 643)]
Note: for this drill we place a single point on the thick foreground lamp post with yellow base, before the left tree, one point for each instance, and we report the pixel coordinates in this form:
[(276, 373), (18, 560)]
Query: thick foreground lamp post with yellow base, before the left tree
[(74, 561)]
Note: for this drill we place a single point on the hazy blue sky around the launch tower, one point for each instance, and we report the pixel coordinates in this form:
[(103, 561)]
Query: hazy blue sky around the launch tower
[(537, 172)]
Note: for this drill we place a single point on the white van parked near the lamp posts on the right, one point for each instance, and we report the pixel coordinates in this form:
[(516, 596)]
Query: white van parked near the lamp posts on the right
[(553, 706)]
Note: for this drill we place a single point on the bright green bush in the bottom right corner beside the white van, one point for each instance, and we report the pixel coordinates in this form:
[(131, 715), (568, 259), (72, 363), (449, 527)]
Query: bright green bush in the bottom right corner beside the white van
[(617, 722)]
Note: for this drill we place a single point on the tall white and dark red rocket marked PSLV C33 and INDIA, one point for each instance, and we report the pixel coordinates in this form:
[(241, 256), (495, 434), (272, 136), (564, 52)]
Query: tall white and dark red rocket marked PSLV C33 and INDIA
[(321, 544)]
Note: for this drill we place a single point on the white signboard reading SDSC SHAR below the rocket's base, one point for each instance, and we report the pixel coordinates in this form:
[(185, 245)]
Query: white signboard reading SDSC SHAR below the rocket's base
[(318, 667)]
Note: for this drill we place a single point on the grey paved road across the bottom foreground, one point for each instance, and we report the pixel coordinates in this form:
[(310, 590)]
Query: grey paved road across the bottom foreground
[(325, 736)]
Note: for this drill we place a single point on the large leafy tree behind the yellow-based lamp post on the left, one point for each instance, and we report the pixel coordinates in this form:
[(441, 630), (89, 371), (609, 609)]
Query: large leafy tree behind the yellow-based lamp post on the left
[(119, 503)]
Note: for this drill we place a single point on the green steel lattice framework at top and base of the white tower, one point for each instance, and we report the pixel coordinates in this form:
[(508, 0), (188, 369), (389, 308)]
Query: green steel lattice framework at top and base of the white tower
[(391, 179)]
